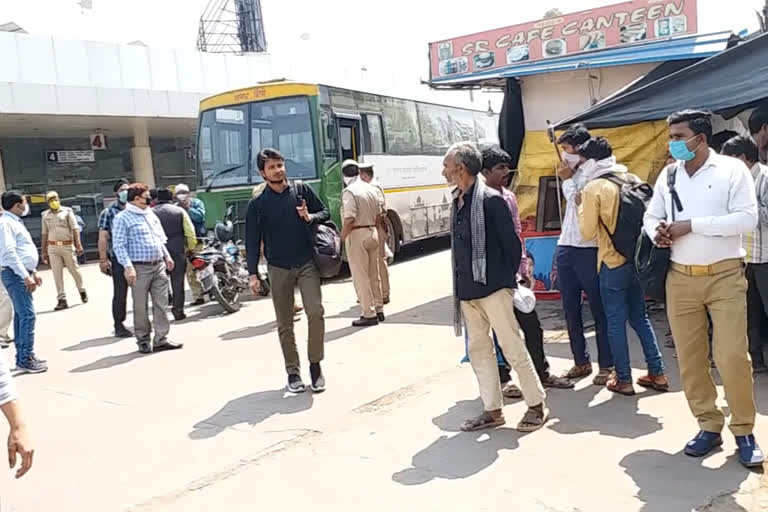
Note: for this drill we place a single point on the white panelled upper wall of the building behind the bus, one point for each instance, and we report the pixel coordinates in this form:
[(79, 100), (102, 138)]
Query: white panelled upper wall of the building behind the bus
[(43, 75)]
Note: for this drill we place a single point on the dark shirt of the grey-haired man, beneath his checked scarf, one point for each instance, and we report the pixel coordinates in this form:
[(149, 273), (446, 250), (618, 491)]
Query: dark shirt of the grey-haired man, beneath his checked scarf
[(503, 248)]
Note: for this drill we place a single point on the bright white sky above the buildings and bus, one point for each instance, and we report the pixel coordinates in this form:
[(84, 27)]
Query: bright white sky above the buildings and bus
[(338, 37)]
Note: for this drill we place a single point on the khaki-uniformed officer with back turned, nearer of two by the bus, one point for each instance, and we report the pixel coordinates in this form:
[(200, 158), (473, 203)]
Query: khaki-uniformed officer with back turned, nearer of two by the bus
[(361, 208)]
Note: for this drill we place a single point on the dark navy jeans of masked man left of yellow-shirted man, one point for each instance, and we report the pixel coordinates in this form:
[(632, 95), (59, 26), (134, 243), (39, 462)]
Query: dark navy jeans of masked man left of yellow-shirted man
[(577, 273)]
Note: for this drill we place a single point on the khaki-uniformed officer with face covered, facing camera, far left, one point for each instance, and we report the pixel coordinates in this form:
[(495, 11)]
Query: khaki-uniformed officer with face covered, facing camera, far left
[(61, 247)]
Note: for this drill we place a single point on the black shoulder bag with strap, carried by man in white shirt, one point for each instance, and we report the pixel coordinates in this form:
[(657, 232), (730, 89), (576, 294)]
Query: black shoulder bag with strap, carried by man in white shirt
[(652, 262)]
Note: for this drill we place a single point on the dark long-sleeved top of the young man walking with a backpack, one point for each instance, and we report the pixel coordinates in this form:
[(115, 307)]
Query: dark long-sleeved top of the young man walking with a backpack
[(272, 217)]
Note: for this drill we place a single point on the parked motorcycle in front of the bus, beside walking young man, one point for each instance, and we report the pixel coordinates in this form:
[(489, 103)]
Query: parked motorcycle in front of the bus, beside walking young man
[(221, 268)]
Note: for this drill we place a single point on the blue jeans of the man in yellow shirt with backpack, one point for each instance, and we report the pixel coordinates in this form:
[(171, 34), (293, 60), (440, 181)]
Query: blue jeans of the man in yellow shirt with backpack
[(623, 300)]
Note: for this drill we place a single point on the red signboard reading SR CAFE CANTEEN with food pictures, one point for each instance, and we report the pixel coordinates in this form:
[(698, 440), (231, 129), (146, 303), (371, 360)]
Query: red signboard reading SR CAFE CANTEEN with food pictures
[(595, 29)]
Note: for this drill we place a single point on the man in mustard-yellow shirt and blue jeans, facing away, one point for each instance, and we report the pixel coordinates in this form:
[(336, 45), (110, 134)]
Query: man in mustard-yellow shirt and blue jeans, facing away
[(622, 296)]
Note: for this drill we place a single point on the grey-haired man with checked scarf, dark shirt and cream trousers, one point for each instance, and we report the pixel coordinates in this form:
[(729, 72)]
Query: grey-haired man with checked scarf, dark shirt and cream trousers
[(485, 258)]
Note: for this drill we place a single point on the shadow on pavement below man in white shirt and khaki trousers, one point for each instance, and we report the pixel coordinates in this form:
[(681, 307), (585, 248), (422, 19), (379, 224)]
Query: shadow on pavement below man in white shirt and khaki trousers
[(669, 482)]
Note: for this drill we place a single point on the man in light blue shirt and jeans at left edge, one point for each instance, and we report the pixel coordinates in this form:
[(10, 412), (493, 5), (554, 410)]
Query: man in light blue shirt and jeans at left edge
[(19, 260)]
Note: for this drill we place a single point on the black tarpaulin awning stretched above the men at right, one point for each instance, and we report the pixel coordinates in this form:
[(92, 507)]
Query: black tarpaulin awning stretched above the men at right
[(727, 83)]
